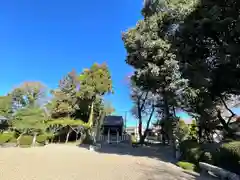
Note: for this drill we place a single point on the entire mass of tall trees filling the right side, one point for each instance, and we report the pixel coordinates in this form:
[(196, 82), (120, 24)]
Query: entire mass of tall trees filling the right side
[(185, 53)]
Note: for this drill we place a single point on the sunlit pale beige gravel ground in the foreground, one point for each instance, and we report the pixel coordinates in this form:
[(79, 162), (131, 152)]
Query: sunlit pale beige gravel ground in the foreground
[(68, 162)]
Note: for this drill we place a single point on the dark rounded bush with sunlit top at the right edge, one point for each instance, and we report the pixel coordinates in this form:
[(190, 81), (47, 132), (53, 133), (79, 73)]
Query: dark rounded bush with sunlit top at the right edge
[(228, 156)]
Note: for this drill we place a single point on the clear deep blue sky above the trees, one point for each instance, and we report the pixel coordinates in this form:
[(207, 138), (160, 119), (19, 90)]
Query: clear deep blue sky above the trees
[(42, 40)]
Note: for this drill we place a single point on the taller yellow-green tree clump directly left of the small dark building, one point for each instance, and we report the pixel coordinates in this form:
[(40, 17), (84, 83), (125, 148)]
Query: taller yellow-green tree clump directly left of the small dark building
[(80, 98)]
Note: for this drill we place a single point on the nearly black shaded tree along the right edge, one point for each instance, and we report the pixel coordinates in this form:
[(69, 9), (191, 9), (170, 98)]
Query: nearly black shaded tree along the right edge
[(206, 46)]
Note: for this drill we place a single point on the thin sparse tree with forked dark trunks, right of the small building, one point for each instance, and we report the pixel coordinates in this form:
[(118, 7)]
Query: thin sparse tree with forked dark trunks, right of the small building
[(144, 108)]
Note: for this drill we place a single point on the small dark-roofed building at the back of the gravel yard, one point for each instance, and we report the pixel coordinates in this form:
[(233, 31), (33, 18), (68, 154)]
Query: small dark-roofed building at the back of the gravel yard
[(112, 130)]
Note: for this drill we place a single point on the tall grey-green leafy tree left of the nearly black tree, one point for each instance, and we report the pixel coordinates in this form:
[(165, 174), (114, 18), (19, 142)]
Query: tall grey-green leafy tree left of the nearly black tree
[(149, 52)]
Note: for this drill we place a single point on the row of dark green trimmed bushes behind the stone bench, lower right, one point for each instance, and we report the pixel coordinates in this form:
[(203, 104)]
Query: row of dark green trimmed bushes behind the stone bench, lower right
[(226, 155)]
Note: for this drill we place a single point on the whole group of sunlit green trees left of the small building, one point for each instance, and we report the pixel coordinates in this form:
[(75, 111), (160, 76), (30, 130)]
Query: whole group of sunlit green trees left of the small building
[(74, 107)]
